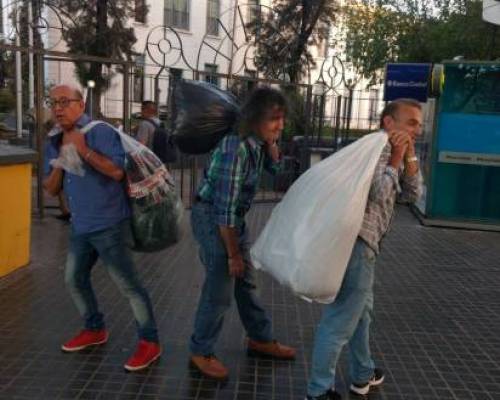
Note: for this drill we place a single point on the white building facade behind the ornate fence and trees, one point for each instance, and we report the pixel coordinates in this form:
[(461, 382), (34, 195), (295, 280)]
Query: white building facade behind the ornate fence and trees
[(192, 41)]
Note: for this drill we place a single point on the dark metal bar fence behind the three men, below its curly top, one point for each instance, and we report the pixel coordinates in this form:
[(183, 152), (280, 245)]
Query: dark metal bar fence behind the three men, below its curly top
[(317, 125)]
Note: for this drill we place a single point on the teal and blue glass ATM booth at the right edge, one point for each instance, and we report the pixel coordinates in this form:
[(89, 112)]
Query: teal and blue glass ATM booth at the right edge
[(460, 151)]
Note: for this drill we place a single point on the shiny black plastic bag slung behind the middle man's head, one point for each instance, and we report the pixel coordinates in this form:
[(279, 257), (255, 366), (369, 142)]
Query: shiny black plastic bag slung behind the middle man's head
[(205, 114)]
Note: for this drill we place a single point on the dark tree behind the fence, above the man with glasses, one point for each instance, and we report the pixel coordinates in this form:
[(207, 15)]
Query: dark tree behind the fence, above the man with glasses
[(99, 28)]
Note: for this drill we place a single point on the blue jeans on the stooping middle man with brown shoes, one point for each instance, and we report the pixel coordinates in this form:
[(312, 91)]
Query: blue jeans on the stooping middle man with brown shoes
[(218, 286)]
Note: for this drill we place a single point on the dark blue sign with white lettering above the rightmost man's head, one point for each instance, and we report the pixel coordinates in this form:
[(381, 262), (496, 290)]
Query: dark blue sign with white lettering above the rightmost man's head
[(409, 81)]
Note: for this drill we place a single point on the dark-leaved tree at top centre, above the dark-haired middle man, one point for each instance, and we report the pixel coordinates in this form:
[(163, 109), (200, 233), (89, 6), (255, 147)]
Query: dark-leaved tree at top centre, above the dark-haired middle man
[(286, 34)]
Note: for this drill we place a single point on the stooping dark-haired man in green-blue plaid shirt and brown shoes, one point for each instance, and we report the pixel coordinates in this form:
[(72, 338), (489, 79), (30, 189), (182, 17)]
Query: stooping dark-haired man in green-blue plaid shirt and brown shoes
[(218, 221)]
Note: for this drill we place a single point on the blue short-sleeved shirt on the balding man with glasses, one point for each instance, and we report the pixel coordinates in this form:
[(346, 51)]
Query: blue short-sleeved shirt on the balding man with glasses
[(96, 201)]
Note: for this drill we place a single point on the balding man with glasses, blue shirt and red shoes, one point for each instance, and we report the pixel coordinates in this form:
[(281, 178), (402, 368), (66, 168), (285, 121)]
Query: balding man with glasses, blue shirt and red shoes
[(99, 223)]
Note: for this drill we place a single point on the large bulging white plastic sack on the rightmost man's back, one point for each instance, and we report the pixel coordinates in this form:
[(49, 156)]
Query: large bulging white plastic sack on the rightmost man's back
[(308, 240)]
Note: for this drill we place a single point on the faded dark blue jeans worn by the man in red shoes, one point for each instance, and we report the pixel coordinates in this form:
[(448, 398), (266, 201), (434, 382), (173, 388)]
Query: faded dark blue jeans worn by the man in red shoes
[(112, 246)]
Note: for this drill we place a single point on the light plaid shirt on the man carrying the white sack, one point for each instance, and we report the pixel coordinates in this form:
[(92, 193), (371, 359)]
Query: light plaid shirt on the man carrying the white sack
[(387, 185)]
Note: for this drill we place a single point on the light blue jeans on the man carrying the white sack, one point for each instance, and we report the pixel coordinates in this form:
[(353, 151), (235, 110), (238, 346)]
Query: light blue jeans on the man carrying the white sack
[(346, 321)]
